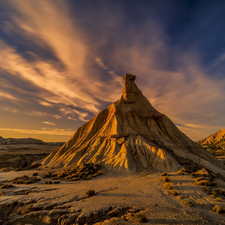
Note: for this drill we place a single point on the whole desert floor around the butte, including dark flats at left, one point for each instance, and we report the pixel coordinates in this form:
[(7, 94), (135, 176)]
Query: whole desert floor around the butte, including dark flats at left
[(118, 198)]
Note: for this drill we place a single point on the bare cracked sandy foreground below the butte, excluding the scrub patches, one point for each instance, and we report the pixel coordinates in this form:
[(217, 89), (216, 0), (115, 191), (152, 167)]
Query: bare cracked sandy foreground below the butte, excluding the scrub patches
[(117, 198)]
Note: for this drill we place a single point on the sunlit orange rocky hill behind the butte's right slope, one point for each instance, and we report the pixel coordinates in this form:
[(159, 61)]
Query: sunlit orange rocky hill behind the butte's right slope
[(216, 140)]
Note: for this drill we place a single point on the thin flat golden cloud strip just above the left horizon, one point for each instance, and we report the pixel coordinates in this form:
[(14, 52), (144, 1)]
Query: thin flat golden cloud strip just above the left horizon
[(42, 131)]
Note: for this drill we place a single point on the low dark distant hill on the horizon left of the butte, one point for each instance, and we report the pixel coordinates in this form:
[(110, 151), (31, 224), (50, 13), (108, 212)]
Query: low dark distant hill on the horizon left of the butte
[(12, 141)]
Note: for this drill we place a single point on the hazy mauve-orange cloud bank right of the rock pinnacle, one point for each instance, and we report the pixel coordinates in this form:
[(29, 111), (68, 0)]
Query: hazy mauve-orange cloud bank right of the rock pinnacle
[(185, 92)]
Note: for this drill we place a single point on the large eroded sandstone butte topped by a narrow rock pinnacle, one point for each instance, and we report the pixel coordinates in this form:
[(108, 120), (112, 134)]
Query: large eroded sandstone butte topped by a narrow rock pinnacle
[(130, 135)]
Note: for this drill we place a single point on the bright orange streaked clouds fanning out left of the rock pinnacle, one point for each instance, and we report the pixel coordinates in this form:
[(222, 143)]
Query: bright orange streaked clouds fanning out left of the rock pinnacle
[(68, 78)]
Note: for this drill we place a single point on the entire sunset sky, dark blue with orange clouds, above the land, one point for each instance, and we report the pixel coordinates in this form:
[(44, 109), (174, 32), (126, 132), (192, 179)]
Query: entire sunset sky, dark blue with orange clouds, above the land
[(63, 61)]
